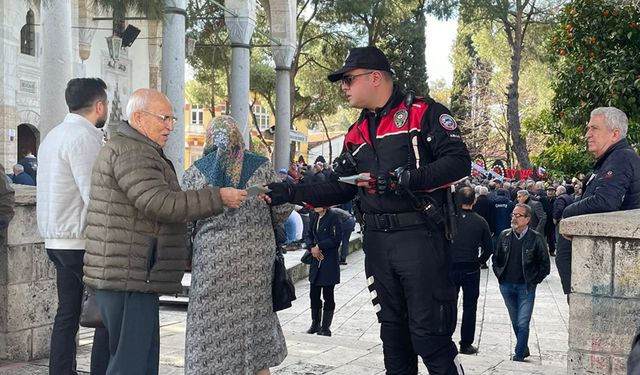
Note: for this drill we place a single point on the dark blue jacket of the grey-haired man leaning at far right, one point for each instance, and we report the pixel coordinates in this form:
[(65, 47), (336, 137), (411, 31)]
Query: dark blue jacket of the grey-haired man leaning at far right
[(614, 184)]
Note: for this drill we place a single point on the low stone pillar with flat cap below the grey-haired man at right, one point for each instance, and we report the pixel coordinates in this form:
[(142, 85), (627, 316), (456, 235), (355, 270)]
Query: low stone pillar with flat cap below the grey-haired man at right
[(605, 284)]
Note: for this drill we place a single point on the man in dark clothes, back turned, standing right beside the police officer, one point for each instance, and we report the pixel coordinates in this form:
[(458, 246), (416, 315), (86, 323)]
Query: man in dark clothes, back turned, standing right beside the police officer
[(473, 232)]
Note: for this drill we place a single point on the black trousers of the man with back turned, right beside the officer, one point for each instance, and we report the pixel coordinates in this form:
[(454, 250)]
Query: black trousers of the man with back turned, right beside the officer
[(469, 281)]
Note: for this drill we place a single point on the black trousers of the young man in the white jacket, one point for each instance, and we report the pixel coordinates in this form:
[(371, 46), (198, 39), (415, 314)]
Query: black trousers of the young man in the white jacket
[(62, 354)]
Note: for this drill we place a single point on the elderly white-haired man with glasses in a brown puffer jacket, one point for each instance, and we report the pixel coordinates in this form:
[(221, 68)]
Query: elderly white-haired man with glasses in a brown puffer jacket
[(136, 230)]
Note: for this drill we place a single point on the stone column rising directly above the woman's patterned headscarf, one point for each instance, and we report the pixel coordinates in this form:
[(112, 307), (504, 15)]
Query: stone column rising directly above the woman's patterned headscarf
[(240, 31)]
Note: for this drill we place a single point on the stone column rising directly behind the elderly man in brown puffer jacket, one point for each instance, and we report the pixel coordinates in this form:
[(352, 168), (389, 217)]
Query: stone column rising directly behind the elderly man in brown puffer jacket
[(173, 59)]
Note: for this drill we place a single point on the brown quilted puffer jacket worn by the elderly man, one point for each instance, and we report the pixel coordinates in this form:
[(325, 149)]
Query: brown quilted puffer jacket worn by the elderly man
[(136, 231)]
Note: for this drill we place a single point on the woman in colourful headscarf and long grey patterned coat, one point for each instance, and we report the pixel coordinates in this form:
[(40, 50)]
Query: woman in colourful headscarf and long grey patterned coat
[(231, 326)]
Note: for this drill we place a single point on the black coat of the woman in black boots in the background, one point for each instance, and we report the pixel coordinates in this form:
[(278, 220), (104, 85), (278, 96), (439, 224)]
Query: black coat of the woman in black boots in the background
[(327, 235)]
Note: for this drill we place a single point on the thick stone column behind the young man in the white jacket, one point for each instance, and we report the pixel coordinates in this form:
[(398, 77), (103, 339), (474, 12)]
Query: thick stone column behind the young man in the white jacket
[(56, 63)]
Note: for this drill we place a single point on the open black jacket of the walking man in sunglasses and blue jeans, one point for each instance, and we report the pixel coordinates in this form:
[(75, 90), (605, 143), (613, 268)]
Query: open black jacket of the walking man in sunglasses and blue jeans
[(535, 256)]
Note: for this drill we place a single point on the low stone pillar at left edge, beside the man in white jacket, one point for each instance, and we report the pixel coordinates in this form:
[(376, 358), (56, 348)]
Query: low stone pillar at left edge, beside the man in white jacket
[(27, 286)]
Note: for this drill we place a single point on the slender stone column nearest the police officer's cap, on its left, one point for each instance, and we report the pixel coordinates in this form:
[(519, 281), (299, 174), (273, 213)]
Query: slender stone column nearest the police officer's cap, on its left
[(283, 56)]
